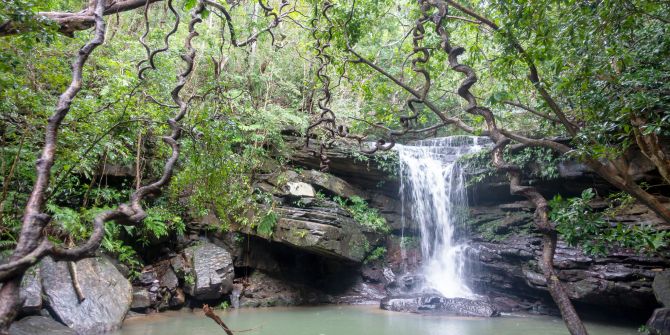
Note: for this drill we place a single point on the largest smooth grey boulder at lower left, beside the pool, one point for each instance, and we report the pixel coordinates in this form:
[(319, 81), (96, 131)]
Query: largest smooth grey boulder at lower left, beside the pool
[(107, 294)]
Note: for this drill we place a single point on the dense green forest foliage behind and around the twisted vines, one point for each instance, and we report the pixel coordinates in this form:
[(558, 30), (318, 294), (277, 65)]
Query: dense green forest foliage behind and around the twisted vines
[(606, 63)]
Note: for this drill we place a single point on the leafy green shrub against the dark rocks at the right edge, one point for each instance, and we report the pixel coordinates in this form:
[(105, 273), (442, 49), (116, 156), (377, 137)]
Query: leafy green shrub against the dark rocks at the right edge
[(578, 224)]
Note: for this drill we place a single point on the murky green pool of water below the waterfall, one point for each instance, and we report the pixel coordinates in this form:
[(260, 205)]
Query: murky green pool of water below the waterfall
[(348, 320)]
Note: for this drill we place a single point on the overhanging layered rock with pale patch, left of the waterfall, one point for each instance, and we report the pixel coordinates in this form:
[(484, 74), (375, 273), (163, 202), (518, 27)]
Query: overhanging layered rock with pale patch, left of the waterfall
[(316, 224)]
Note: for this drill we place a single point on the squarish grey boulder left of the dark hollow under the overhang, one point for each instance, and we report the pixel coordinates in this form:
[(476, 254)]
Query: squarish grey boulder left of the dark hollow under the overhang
[(210, 273)]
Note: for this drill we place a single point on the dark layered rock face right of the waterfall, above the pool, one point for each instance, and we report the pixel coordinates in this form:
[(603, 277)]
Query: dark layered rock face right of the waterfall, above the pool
[(504, 253)]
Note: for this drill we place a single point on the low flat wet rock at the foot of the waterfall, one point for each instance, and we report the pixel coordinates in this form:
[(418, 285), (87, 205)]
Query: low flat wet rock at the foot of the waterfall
[(435, 304)]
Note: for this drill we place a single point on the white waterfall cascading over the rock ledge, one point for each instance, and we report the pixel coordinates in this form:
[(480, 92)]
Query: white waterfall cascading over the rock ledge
[(433, 194)]
